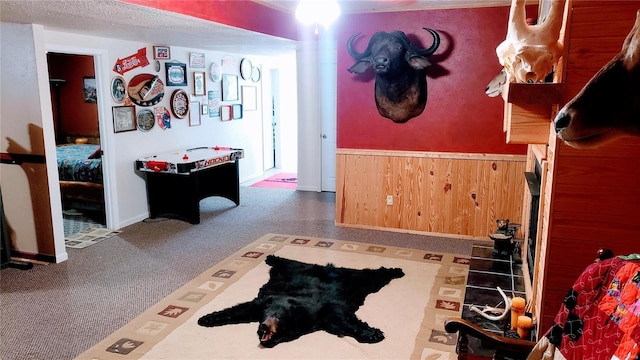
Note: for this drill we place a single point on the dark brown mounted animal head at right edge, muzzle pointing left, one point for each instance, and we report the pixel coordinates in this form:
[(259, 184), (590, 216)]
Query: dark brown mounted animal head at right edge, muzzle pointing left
[(608, 106)]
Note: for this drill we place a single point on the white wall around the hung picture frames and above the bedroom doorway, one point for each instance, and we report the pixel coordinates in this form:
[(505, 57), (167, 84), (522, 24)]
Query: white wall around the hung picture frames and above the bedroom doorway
[(122, 149)]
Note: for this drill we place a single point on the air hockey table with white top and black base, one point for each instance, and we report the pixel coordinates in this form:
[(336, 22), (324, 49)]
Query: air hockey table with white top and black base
[(177, 181)]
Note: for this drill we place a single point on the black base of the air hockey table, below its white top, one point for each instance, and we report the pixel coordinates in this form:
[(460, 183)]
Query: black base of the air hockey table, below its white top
[(179, 195)]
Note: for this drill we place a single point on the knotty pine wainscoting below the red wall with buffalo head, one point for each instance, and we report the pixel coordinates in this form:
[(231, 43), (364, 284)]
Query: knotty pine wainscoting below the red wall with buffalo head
[(430, 192)]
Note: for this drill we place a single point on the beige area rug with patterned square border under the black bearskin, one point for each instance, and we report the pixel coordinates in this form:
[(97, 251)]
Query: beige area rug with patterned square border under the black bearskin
[(410, 310)]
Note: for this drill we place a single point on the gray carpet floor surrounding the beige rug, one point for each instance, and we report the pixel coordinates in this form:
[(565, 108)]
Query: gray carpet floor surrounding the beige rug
[(58, 311)]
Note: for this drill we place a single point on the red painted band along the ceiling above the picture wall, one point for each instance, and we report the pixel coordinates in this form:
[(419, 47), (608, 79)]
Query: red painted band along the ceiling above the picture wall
[(238, 13)]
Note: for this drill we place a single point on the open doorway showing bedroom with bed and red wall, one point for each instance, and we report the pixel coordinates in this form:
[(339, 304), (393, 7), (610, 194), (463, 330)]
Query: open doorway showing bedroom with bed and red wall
[(74, 102)]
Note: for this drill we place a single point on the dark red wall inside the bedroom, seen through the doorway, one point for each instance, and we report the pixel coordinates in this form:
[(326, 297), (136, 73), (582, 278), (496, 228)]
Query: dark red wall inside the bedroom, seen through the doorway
[(77, 116)]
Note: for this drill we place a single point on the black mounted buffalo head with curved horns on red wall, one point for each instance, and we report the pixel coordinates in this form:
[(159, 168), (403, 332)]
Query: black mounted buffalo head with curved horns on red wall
[(401, 82)]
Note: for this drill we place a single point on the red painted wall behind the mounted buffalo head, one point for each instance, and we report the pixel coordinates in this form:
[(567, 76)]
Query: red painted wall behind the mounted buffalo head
[(459, 116)]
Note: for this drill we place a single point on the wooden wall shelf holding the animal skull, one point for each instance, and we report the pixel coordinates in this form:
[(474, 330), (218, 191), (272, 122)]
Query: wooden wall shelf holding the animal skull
[(528, 110)]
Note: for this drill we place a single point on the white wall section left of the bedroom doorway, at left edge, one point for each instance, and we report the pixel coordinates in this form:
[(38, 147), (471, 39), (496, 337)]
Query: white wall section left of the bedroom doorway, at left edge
[(25, 115)]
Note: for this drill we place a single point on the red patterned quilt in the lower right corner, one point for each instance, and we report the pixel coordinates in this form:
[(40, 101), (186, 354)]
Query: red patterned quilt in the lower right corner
[(599, 316)]
